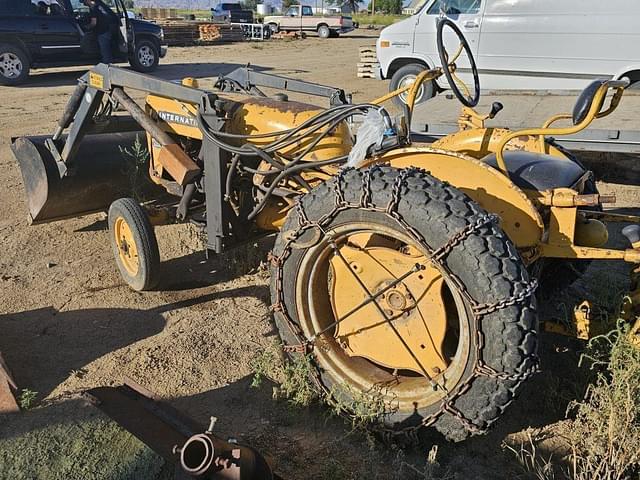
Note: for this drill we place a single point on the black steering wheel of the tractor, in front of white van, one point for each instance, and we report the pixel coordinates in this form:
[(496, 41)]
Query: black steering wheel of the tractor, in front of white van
[(459, 88)]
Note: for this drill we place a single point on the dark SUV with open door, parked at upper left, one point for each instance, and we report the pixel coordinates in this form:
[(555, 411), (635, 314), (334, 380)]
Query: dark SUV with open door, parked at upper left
[(51, 33)]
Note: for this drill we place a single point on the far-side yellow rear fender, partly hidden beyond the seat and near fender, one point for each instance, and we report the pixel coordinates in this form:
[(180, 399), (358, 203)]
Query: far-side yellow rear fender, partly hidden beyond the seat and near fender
[(480, 142)]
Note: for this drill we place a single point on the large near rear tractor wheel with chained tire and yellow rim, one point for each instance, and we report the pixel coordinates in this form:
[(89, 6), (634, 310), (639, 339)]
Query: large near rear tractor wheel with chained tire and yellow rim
[(402, 287)]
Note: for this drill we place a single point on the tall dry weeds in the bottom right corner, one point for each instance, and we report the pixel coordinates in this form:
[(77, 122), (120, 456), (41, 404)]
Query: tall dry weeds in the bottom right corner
[(602, 434)]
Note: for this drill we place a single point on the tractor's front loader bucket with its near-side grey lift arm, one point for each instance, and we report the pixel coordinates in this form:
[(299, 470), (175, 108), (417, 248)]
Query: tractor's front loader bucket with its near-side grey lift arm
[(82, 167)]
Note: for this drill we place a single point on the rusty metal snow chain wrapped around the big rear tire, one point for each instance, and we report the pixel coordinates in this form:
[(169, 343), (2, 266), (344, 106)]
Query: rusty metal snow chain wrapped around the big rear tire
[(479, 310)]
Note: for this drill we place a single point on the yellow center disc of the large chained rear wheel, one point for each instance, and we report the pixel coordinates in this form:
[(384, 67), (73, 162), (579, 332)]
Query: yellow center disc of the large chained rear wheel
[(400, 325)]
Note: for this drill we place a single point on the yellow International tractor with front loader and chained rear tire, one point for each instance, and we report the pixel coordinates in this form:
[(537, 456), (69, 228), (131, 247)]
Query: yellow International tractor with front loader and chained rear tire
[(407, 271)]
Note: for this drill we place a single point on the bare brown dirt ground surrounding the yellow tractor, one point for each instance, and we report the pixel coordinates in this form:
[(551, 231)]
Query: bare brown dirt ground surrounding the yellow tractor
[(68, 323)]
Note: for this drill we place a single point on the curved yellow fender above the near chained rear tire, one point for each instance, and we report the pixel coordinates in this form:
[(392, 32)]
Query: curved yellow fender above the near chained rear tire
[(492, 190)]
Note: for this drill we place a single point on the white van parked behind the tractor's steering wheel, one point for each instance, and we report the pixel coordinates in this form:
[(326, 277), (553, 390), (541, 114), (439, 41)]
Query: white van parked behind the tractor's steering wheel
[(520, 44)]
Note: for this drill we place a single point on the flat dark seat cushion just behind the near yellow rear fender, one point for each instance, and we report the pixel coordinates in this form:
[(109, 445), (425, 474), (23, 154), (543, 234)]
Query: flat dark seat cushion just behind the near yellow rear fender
[(535, 171)]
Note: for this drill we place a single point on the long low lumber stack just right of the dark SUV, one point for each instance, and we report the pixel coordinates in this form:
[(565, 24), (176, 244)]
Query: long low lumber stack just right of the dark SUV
[(188, 33)]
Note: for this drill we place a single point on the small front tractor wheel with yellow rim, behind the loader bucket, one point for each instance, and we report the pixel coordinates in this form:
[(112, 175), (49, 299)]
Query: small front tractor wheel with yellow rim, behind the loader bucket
[(134, 244)]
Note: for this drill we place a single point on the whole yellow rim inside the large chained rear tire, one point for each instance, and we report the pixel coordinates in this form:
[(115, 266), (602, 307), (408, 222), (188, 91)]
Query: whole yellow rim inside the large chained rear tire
[(361, 353)]
